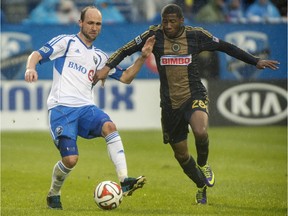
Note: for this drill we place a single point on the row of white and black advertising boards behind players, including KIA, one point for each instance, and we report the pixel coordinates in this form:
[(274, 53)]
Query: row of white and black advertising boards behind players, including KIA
[(136, 106)]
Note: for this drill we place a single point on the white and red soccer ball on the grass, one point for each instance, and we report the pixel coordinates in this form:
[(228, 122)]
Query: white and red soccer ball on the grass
[(108, 195)]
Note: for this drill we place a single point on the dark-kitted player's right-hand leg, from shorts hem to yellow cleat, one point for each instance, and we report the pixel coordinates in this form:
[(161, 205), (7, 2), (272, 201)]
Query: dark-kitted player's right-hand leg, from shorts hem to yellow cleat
[(199, 125)]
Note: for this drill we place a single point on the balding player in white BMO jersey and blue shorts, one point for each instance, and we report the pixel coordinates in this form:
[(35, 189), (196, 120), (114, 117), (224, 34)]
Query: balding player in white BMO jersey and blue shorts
[(72, 111)]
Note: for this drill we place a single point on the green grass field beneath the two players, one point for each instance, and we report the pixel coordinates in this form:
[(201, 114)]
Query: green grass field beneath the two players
[(250, 166)]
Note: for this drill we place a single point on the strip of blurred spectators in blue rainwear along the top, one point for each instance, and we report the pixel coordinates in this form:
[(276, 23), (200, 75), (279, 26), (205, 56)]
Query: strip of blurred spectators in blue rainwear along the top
[(131, 11)]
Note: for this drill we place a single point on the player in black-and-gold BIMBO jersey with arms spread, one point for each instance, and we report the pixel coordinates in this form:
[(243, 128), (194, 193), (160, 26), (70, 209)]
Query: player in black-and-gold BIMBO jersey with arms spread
[(184, 100)]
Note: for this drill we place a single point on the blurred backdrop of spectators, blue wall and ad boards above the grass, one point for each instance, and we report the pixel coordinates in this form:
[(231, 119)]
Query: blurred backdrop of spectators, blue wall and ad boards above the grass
[(239, 93)]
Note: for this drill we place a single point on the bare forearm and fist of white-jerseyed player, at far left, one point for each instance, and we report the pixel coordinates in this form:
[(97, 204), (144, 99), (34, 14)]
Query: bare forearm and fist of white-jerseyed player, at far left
[(31, 73)]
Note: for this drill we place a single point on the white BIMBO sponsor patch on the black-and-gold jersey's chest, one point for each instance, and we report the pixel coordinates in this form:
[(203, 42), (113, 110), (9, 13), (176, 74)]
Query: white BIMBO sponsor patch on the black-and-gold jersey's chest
[(184, 60)]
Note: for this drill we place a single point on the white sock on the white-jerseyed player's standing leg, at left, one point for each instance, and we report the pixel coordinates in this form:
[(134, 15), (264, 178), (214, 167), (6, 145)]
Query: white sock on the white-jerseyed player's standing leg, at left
[(59, 174)]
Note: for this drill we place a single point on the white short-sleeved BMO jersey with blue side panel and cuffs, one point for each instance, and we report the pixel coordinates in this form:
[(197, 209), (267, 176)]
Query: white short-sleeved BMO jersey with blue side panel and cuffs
[(73, 70)]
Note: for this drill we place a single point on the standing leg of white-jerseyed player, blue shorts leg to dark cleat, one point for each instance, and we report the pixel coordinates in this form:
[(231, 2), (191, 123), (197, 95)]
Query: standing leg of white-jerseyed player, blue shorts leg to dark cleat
[(63, 130)]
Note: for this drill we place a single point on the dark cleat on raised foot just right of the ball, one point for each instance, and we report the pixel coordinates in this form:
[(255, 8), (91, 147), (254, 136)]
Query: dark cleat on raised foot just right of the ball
[(131, 184)]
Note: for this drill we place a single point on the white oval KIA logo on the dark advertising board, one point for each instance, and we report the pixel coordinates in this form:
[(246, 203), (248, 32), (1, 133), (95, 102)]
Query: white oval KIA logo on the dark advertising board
[(253, 104)]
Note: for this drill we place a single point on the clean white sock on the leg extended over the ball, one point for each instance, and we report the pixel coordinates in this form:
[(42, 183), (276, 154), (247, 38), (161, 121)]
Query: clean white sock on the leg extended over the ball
[(117, 155)]
